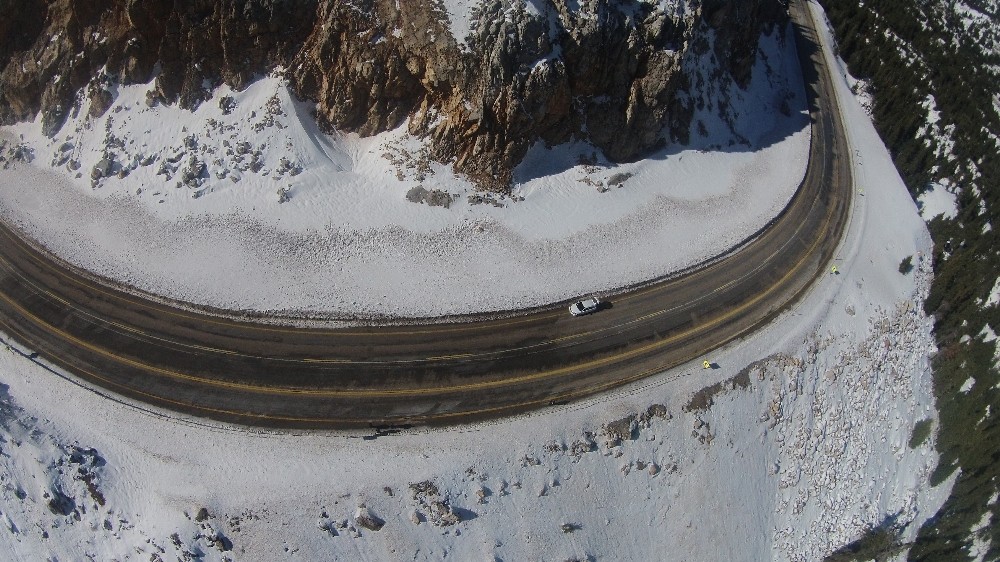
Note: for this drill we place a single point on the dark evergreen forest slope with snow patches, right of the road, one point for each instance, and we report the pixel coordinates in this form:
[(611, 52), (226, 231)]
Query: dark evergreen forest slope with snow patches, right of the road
[(933, 69)]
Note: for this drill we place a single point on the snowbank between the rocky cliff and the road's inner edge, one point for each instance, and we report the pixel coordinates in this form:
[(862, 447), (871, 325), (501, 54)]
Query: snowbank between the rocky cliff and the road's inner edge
[(198, 205)]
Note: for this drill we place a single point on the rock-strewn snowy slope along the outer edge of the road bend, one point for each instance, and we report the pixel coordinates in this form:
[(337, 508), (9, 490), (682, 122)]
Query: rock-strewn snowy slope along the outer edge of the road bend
[(802, 452)]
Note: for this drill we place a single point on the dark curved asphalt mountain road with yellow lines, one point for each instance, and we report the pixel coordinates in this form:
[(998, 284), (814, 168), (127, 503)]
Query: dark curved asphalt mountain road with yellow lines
[(267, 375)]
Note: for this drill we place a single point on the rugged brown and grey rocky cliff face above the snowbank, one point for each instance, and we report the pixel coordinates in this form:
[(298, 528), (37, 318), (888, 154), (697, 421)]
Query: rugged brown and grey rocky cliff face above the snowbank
[(612, 73)]
